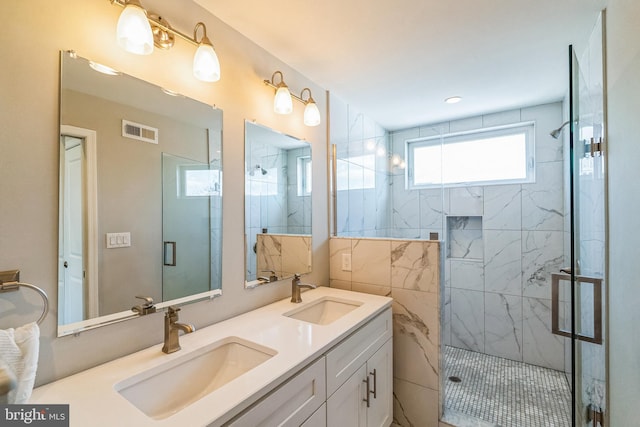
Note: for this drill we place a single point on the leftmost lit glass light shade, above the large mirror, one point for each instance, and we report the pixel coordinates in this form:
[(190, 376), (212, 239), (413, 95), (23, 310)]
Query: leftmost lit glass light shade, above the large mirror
[(134, 31)]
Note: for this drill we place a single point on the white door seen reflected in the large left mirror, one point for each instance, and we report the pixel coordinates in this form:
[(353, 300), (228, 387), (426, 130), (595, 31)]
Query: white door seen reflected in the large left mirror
[(72, 234)]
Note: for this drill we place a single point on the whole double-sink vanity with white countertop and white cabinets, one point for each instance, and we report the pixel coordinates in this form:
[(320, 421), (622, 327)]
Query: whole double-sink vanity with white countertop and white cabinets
[(326, 361)]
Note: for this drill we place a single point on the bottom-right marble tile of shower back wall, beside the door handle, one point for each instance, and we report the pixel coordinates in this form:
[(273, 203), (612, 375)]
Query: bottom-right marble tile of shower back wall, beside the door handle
[(541, 347)]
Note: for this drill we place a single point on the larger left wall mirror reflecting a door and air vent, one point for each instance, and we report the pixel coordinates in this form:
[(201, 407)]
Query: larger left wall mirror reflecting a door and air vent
[(140, 196)]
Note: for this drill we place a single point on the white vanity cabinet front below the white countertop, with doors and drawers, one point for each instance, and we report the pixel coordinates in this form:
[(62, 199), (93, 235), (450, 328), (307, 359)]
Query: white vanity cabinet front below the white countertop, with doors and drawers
[(339, 377)]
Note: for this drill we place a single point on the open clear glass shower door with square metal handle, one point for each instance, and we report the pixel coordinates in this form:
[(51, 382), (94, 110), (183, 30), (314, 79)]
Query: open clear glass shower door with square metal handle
[(586, 276)]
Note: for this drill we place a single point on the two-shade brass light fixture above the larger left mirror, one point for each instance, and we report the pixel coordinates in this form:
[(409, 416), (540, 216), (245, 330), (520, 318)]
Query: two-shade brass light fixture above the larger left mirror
[(138, 31)]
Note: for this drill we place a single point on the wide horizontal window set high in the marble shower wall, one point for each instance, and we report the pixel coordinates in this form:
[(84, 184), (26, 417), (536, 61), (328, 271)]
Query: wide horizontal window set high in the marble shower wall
[(501, 155)]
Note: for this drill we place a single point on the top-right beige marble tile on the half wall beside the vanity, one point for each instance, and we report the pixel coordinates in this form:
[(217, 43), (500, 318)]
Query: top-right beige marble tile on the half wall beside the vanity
[(415, 265)]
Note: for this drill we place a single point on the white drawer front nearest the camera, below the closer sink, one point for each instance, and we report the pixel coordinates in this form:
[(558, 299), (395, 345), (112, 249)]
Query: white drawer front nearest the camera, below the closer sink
[(291, 403)]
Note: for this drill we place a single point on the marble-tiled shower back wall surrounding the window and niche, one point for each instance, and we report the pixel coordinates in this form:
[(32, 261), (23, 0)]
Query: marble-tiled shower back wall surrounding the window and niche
[(500, 244)]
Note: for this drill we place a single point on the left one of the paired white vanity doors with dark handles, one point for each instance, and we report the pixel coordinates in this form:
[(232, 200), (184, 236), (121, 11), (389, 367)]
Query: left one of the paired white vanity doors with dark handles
[(346, 407)]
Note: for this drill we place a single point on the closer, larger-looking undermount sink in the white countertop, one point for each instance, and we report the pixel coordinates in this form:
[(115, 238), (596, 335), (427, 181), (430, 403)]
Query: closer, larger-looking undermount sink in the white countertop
[(166, 389)]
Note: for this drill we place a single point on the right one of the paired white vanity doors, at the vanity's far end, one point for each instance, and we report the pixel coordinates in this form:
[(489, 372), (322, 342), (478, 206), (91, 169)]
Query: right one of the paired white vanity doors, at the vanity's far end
[(380, 371)]
